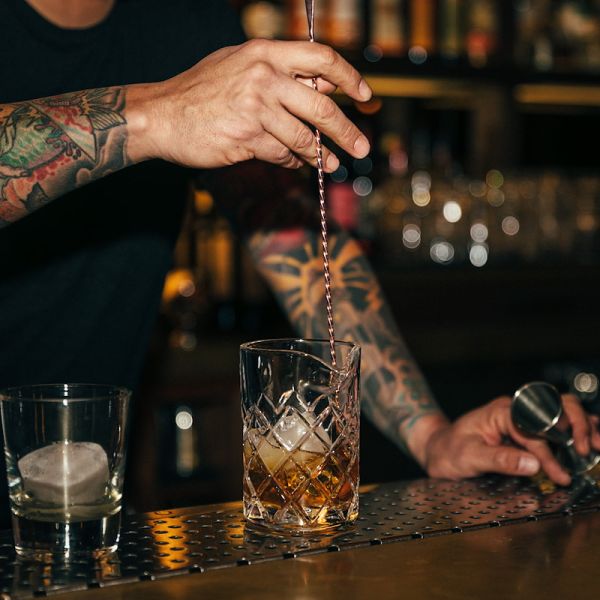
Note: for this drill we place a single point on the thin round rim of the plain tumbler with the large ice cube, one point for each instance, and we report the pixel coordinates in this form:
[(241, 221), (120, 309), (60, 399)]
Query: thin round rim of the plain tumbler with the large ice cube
[(107, 391)]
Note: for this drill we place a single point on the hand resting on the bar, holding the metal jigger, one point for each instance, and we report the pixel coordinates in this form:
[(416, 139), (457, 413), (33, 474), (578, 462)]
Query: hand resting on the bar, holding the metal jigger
[(476, 444)]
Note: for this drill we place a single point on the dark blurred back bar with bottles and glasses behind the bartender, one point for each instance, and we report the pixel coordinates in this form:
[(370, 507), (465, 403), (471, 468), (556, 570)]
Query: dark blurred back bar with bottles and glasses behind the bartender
[(478, 207)]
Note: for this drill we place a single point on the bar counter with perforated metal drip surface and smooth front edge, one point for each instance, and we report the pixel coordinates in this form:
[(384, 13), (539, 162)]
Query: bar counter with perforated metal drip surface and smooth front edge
[(482, 538)]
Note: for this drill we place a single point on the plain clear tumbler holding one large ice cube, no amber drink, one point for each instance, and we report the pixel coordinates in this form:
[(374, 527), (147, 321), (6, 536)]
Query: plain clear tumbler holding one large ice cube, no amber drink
[(65, 447)]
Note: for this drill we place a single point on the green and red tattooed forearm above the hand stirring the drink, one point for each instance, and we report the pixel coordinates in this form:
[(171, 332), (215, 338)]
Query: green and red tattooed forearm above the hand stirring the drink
[(51, 146)]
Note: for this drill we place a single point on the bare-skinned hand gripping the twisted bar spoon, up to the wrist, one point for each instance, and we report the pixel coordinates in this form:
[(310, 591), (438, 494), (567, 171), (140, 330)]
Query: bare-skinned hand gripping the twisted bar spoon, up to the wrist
[(249, 101)]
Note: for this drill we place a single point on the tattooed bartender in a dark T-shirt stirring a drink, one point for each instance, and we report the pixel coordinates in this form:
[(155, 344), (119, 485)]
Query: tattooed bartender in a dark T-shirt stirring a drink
[(102, 105)]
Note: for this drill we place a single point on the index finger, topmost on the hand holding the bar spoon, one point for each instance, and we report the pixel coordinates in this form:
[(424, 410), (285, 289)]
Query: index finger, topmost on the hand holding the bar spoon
[(311, 59)]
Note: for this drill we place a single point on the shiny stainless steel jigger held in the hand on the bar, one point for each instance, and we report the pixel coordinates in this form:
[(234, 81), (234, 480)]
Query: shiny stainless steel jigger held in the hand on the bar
[(537, 411)]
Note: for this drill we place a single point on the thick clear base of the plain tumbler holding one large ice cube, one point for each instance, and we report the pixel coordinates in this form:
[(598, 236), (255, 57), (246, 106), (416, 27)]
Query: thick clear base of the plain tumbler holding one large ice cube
[(50, 540)]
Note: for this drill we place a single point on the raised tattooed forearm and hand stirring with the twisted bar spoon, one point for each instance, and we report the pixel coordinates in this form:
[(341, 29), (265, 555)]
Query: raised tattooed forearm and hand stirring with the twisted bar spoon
[(238, 103)]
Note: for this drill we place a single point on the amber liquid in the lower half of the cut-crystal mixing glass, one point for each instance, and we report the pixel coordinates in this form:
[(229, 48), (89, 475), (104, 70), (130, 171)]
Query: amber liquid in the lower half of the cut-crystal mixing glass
[(302, 490)]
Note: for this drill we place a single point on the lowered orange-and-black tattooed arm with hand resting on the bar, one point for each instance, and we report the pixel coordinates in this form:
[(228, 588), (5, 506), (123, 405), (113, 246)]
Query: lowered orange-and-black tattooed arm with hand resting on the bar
[(394, 394)]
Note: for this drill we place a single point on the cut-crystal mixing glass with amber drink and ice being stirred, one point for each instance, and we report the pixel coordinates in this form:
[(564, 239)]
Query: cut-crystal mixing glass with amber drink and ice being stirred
[(301, 433)]
